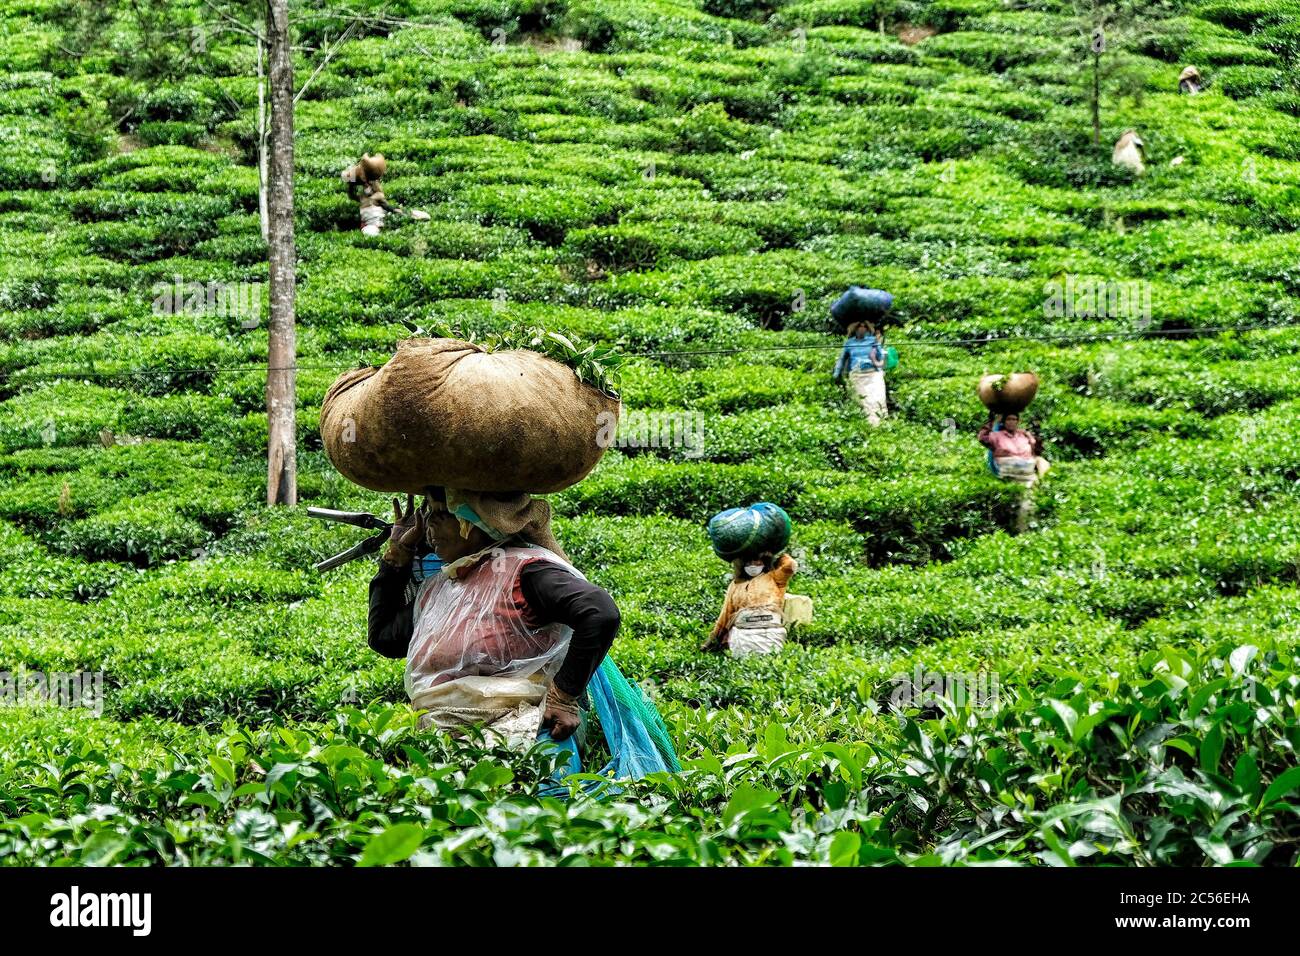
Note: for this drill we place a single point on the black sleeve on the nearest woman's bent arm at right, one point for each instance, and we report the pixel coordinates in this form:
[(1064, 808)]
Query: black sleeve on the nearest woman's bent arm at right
[(557, 596)]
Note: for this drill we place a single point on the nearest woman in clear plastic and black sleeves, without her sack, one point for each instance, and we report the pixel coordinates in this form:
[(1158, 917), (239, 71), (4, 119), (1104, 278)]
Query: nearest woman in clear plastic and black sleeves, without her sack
[(505, 629)]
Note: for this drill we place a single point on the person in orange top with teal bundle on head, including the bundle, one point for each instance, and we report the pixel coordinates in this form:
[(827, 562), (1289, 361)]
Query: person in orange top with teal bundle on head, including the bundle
[(753, 540)]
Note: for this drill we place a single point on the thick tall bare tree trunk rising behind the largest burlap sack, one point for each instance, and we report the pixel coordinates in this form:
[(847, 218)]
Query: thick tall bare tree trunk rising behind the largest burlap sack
[(281, 393)]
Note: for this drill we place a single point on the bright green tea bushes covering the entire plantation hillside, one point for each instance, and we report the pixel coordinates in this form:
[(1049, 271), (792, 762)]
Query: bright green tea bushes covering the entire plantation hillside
[(694, 181)]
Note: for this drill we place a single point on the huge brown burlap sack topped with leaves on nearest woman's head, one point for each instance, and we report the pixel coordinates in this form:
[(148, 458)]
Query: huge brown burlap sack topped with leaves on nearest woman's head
[(448, 413)]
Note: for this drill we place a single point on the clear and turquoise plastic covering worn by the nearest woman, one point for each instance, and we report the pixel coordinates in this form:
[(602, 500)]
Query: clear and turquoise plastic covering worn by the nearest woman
[(476, 657)]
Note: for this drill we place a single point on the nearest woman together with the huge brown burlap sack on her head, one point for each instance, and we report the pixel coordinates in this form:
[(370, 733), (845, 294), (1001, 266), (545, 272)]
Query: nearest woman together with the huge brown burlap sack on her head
[(497, 626)]
